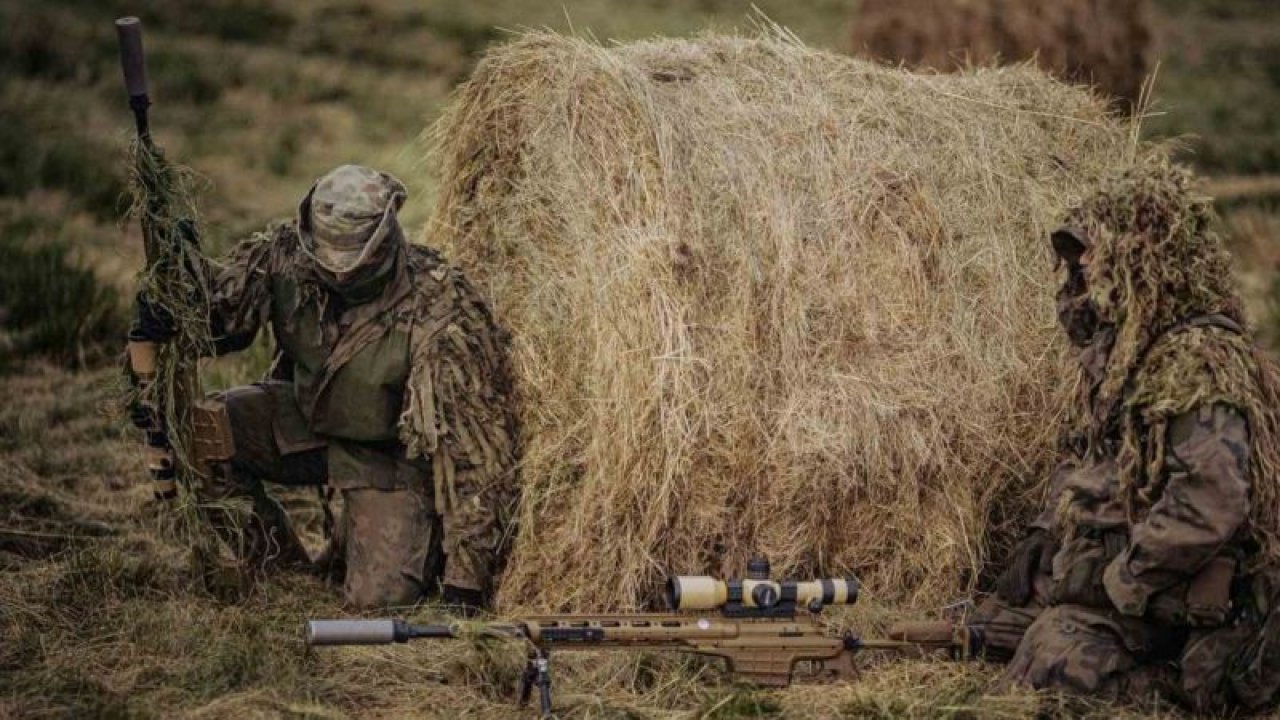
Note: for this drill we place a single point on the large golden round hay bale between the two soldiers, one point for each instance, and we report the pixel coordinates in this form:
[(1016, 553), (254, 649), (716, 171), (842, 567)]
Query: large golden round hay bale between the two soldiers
[(766, 299)]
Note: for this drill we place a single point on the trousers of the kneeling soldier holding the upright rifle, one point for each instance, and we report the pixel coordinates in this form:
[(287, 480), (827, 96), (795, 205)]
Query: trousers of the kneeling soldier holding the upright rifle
[(388, 539)]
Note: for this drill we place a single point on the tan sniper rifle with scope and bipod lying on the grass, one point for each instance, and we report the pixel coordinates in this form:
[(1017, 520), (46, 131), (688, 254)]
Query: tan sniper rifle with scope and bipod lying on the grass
[(762, 630)]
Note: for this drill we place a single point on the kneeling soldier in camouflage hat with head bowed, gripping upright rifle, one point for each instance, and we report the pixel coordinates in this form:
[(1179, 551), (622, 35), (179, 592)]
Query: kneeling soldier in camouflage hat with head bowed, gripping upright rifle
[(390, 385)]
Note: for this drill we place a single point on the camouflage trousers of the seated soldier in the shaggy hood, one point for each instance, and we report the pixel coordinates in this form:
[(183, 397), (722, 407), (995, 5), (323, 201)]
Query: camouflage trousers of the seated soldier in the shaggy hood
[(1100, 653)]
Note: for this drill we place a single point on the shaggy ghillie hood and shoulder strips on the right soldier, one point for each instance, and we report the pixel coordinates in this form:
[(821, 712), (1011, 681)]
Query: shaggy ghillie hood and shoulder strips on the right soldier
[(1155, 262)]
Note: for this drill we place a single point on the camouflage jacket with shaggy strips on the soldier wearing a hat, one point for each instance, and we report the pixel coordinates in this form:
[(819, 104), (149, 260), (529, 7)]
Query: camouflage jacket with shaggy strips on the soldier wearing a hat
[(408, 386)]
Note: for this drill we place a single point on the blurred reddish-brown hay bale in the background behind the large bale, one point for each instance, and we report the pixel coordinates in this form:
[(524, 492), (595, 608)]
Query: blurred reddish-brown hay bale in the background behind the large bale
[(1099, 43)]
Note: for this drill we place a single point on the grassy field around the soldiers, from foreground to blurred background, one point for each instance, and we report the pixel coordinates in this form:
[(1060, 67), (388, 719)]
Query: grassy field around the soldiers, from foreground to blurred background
[(97, 619)]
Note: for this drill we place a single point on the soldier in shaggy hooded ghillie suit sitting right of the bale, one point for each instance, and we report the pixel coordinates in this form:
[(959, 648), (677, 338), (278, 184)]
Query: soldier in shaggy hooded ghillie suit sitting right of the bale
[(1154, 567)]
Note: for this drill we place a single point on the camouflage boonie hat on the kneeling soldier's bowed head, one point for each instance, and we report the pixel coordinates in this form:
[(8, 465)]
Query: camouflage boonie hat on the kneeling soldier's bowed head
[(346, 212)]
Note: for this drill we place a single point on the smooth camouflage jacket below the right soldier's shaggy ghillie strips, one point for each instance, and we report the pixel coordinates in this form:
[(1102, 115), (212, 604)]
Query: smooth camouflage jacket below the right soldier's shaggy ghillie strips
[(1154, 521)]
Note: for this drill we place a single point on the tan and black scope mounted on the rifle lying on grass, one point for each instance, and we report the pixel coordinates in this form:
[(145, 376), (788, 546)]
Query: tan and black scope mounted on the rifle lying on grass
[(758, 595)]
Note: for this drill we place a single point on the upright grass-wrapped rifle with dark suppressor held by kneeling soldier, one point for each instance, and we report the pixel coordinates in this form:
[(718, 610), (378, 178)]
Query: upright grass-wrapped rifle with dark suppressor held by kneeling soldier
[(164, 356)]
